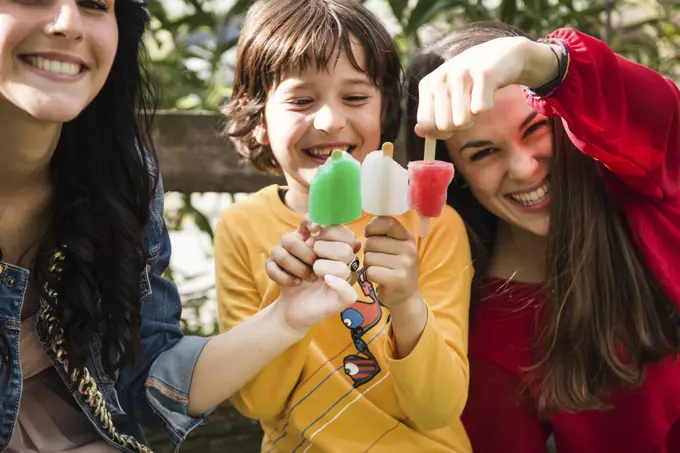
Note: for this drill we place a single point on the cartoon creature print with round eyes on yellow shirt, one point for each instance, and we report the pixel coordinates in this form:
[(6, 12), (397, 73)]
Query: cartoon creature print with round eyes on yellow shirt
[(359, 318)]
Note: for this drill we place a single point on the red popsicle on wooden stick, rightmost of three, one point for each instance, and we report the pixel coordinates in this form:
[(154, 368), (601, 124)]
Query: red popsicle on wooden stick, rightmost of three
[(429, 180)]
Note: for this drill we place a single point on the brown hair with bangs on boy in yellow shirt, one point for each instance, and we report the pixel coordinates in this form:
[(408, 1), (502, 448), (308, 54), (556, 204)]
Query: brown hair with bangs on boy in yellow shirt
[(281, 34)]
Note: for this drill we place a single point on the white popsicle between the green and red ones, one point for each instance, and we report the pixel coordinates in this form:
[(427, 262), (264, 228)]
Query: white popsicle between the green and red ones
[(384, 184)]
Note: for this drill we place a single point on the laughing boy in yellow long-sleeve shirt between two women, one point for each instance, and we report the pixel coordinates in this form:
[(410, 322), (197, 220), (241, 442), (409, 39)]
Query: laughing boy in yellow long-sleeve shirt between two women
[(390, 373)]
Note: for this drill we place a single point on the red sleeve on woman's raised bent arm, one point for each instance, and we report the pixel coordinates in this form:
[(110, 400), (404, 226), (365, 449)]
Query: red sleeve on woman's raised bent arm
[(622, 114)]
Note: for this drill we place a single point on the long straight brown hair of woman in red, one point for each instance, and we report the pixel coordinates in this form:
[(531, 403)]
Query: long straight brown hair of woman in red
[(605, 315)]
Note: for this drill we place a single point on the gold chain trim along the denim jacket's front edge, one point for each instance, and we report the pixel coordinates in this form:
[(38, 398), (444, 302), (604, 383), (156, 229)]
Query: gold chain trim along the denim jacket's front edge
[(86, 385)]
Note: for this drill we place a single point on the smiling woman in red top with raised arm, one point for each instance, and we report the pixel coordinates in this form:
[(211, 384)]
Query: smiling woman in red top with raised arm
[(570, 192)]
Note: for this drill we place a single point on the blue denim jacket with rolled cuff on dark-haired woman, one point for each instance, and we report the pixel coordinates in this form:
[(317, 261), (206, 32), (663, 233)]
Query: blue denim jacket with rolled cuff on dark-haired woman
[(153, 393)]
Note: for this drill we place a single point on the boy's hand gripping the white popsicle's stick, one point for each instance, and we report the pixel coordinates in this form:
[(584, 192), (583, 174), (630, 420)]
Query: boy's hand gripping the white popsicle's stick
[(391, 261)]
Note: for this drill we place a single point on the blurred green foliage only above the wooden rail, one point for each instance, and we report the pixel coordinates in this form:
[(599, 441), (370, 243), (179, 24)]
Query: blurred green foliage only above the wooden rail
[(193, 41)]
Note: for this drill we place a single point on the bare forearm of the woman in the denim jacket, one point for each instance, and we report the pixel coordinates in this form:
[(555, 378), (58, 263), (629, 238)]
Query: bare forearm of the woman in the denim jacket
[(233, 358)]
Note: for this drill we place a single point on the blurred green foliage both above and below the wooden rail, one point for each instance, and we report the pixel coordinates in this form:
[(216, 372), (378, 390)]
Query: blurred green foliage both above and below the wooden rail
[(192, 45)]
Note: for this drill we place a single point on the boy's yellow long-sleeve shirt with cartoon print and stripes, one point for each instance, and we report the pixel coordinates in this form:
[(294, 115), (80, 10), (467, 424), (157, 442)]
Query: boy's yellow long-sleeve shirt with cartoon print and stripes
[(340, 389)]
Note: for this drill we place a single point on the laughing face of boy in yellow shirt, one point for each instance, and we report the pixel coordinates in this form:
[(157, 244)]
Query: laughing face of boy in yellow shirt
[(311, 113)]
